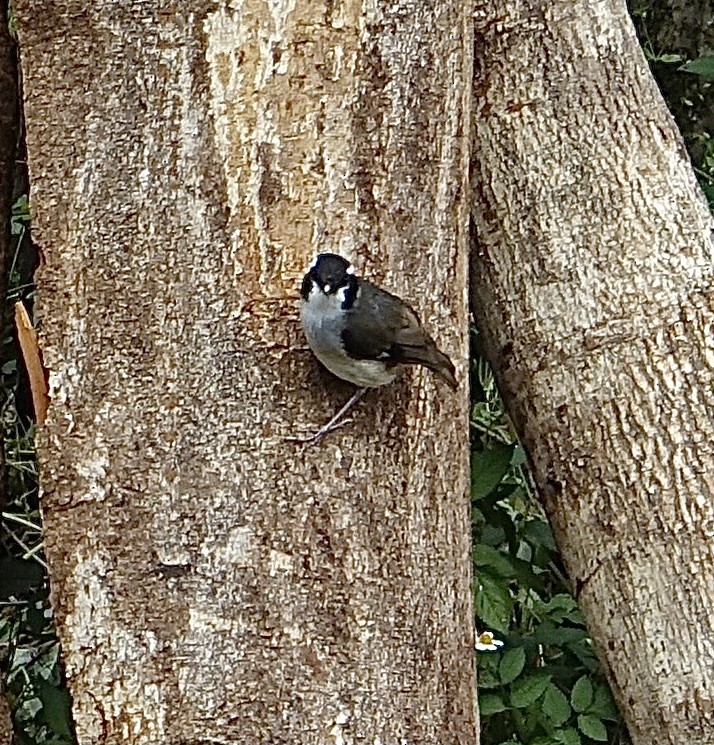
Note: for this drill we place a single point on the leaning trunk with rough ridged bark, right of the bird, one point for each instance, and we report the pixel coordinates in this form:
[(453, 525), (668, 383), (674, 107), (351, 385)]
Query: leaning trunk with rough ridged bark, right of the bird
[(592, 280)]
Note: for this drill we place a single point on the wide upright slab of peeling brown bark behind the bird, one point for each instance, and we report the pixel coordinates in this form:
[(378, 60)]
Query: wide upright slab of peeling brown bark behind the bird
[(213, 582)]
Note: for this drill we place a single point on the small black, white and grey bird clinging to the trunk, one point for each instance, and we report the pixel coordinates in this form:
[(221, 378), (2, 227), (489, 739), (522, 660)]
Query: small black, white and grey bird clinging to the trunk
[(362, 333)]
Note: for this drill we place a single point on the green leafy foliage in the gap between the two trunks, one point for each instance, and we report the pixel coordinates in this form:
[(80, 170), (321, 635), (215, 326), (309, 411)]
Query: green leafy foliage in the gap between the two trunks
[(545, 686)]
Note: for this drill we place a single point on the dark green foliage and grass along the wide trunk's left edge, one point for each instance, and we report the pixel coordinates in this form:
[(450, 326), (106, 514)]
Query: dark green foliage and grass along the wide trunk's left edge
[(29, 650)]
